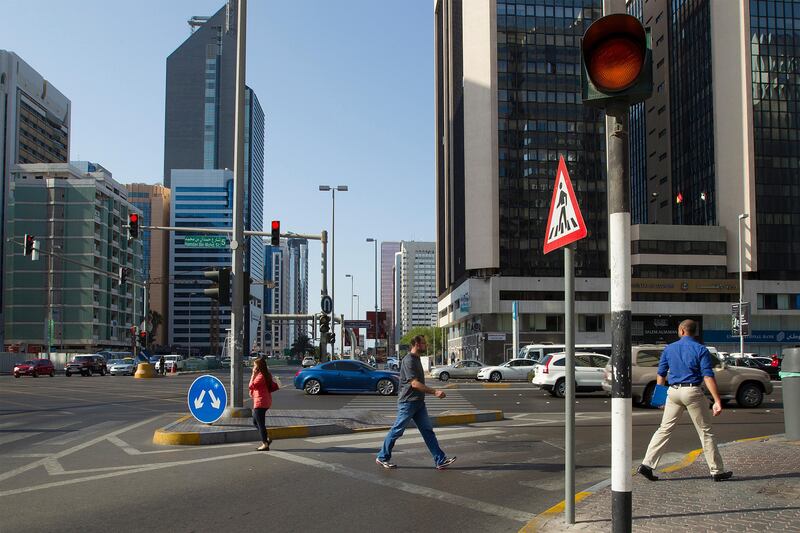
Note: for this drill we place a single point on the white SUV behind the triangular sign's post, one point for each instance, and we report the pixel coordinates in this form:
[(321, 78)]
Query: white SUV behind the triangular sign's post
[(589, 371)]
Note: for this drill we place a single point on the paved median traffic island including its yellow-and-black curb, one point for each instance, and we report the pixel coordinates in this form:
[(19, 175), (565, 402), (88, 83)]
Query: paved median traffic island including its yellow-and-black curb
[(287, 424)]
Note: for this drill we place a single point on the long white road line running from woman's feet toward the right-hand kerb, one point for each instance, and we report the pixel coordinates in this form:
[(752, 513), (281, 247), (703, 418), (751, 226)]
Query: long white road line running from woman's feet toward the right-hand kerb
[(417, 490)]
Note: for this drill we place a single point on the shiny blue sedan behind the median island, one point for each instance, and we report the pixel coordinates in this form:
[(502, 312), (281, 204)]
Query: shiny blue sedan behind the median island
[(346, 376)]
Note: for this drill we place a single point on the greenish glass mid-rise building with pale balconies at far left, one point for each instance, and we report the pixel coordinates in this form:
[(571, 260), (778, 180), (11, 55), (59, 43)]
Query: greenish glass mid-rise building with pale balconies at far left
[(70, 298)]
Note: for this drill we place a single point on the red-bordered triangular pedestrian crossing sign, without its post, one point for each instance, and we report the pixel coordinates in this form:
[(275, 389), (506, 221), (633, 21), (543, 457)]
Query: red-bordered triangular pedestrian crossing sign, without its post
[(567, 225)]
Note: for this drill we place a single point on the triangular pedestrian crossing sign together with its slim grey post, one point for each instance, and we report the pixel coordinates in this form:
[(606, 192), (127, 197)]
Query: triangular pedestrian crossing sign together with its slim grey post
[(564, 226)]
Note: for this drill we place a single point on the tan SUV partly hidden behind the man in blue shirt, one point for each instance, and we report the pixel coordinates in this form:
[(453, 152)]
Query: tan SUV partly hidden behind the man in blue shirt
[(746, 385)]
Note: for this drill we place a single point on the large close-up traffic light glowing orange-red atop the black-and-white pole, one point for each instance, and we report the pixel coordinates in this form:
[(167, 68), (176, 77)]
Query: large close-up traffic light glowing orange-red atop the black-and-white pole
[(617, 63)]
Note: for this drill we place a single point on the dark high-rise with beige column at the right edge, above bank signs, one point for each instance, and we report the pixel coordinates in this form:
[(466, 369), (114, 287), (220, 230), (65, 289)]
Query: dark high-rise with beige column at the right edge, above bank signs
[(717, 140)]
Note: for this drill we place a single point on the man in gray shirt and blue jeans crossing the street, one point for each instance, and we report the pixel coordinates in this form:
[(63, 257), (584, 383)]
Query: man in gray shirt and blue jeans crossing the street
[(411, 406)]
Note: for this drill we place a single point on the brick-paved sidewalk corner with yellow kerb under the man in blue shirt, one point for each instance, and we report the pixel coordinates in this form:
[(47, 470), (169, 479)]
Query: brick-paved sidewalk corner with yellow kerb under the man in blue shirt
[(763, 495)]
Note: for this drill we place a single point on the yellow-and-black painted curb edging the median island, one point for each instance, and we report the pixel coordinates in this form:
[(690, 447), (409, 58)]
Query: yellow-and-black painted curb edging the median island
[(164, 437)]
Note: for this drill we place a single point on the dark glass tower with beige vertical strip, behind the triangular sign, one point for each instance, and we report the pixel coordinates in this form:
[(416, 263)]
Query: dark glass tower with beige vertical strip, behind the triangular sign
[(508, 104)]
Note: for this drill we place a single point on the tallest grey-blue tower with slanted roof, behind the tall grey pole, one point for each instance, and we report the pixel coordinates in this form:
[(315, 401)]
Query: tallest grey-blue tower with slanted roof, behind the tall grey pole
[(199, 128)]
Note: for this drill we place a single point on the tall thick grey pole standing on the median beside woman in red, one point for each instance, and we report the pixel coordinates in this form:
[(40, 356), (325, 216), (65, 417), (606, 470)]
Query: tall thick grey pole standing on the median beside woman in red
[(236, 407)]
